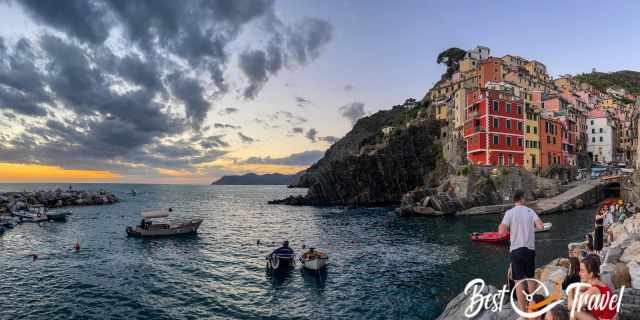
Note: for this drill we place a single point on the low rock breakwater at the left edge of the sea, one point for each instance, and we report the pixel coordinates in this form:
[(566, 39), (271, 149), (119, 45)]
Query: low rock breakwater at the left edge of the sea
[(13, 201)]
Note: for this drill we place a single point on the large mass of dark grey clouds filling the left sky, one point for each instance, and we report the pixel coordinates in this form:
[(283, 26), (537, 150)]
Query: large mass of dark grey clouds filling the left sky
[(120, 85)]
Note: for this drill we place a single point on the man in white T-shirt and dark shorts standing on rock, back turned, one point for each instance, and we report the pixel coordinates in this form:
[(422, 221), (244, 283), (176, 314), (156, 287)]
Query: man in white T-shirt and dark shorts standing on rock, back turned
[(522, 222)]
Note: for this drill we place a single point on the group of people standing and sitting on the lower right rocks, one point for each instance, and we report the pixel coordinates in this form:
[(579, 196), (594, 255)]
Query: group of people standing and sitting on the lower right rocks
[(522, 222)]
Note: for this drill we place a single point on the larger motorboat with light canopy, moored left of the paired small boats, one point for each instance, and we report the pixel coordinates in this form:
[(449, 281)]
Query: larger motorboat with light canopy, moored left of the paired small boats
[(148, 228)]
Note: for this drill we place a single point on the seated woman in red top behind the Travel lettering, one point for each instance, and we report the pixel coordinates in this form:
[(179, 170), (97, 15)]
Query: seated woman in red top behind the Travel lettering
[(598, 291)]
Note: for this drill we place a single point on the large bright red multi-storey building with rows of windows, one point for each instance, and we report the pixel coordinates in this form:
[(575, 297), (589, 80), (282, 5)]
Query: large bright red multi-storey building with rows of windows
[(493, 129)]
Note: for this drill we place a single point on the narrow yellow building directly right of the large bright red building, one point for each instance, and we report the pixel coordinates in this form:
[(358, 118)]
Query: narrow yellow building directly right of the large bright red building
[(531, 134)]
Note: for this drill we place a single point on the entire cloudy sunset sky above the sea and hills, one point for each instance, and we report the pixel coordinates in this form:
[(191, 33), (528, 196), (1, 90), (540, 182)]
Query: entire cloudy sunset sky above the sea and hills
[(161, 91)]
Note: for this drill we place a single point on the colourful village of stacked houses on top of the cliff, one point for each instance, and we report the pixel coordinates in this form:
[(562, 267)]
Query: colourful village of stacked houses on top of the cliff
[(508, 111)]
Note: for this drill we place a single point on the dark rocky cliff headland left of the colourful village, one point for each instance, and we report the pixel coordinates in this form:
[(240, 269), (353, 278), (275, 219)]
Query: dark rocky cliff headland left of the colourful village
[(371, 167)]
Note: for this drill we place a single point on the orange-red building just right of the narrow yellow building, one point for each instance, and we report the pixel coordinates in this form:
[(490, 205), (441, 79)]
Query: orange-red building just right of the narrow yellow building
[(550, 142)]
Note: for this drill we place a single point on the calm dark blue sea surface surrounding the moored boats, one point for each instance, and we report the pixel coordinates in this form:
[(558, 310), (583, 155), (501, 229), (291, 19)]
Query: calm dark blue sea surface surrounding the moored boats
[(381, 266)]
